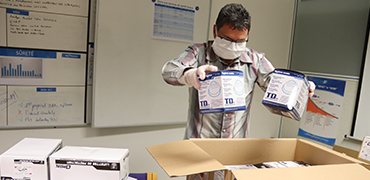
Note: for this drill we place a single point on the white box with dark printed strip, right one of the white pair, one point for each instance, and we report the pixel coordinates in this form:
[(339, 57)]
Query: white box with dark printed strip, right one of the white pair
[(92, 163)]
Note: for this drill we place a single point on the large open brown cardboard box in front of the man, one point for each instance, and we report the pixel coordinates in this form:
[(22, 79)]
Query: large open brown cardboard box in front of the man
[(195, 156)]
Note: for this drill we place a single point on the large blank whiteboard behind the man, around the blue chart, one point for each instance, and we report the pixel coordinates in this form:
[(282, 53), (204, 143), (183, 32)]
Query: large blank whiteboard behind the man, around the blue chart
[(128, 89)]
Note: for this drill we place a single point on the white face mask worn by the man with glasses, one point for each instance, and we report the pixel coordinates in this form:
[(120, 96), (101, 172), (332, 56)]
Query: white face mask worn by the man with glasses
[(228, 50)]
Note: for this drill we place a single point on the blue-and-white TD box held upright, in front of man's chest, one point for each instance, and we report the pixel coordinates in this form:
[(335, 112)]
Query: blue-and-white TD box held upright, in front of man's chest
[(222, 91)]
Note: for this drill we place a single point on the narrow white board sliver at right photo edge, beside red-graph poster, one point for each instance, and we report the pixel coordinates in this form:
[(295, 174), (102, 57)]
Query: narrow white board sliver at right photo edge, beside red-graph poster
[(362, 120)]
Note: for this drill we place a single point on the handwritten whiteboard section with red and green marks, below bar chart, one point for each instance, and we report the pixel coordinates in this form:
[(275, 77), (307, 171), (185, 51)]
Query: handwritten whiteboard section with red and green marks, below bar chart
[(36, 106)]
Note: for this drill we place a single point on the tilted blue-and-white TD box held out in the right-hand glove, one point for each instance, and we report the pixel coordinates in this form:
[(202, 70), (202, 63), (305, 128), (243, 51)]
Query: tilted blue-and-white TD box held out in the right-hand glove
[(287, 93)]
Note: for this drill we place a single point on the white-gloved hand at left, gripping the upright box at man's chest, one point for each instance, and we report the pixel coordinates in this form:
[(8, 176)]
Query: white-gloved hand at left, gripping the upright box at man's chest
[(190, 77)]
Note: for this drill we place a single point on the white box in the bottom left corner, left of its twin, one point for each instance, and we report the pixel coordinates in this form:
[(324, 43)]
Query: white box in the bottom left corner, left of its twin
[(28, 159)]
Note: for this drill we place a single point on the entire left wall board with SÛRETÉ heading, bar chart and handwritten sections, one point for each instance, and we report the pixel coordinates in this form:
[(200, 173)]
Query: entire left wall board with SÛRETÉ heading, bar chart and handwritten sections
[(43, 58)]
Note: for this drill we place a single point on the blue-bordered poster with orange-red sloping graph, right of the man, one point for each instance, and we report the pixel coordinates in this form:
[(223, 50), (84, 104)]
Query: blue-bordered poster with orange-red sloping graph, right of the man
[(323, 110)]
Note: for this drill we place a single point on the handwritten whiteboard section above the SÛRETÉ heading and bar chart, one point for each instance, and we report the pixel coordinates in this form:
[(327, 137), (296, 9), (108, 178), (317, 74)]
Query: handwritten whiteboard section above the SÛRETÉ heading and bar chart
[(46, 31)]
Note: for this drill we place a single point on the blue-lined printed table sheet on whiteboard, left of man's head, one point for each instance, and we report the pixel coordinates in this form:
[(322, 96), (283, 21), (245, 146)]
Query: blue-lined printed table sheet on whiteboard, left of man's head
[(173, 21)]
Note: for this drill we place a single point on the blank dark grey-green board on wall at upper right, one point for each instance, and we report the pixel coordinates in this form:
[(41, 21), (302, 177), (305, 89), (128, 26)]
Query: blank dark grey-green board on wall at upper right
[(329, 36)]
